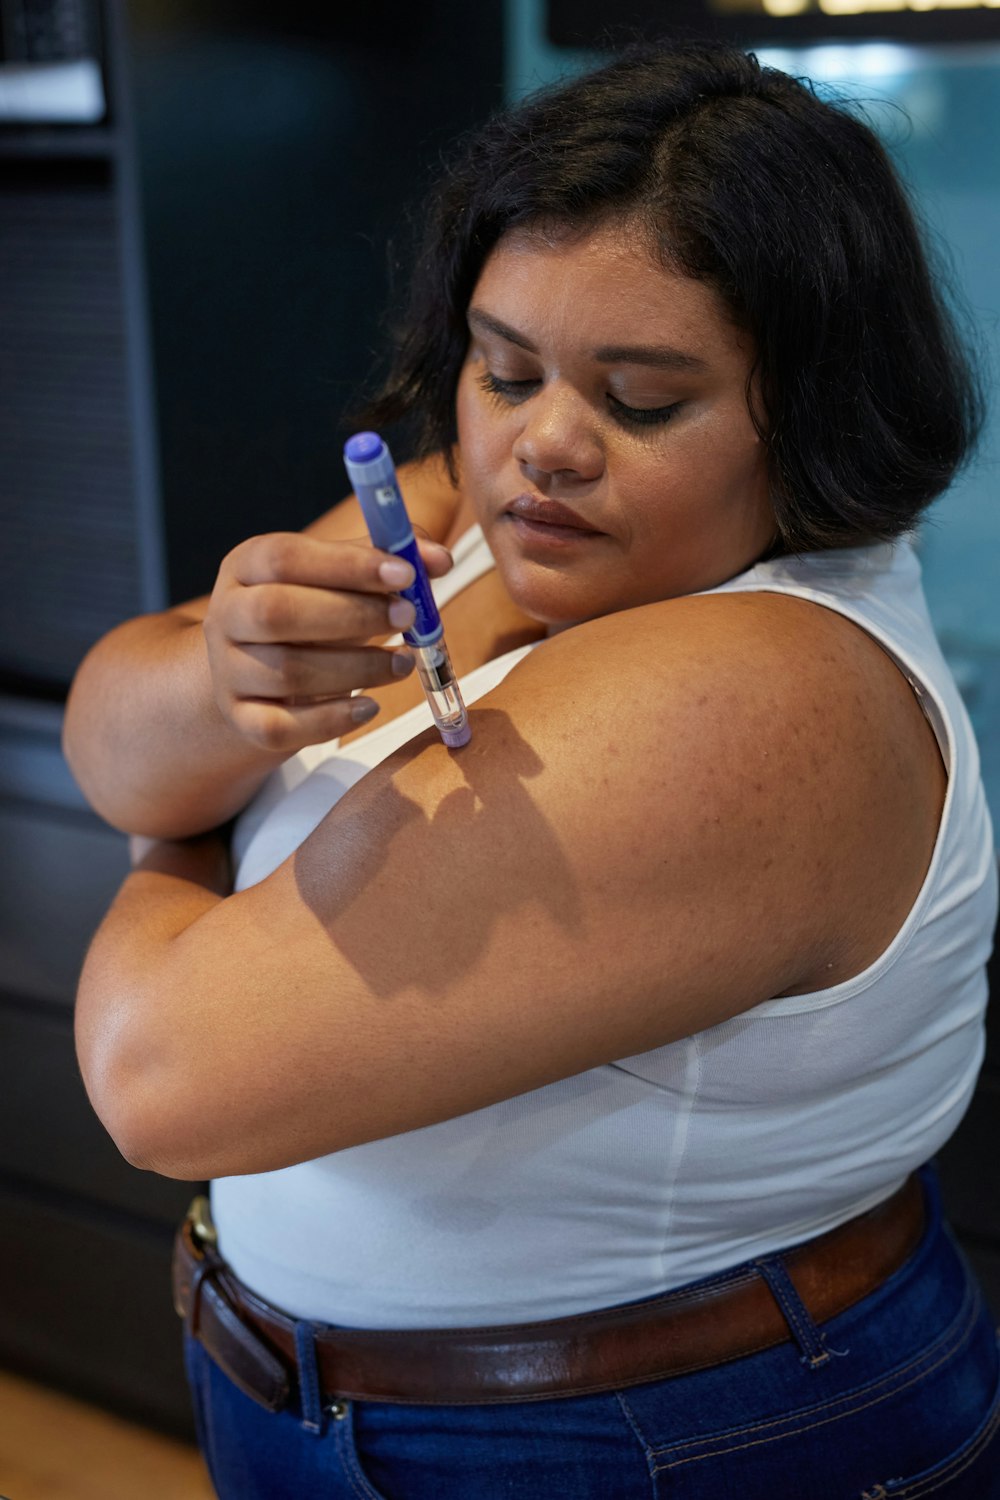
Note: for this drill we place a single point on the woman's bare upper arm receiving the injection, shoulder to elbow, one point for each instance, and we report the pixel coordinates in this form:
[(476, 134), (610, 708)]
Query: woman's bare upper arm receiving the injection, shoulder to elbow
[(644, 838)]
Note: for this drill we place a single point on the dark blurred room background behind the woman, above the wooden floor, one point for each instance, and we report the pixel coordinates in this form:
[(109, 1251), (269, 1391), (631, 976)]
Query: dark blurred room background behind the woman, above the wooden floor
[(197, 202)]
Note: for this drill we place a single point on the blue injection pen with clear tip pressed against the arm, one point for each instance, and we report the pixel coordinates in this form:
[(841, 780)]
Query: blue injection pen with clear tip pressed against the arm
[(373, 475)]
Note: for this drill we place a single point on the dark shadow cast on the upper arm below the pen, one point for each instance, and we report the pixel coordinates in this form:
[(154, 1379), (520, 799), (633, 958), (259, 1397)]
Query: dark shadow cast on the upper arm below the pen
[(415, 886)]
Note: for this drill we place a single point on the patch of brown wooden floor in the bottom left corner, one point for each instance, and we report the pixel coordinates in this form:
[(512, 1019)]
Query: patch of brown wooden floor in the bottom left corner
[(53, 1448)]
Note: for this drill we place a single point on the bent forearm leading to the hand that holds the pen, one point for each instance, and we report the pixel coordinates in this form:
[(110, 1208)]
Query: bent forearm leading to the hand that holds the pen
[(146, 740)]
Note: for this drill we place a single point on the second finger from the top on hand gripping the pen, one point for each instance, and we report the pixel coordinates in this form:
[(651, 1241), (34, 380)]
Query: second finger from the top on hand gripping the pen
[(298, 614)]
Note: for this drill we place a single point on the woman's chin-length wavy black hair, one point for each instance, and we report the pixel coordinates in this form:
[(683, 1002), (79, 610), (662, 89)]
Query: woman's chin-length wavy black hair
[(789, 208)]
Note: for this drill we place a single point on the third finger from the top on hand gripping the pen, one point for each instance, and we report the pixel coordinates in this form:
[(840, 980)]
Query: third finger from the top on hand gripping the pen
[(283, 673)]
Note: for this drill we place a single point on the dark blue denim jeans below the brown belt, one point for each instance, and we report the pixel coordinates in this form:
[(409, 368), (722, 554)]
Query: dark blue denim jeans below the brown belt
[(894, 1400)]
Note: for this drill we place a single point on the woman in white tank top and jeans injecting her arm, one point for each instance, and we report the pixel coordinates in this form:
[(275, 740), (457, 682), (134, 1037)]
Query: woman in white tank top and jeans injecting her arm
[(564, 1094)]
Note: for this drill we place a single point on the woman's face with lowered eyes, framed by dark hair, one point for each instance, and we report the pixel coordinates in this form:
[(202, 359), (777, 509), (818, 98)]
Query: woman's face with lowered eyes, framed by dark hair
[(603, 427)]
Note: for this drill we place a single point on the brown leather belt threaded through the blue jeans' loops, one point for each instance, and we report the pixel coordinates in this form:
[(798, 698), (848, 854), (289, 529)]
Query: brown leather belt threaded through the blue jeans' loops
[(689, 1330)]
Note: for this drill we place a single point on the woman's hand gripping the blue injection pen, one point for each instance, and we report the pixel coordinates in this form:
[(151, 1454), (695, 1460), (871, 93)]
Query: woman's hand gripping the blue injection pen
[(289, 634)]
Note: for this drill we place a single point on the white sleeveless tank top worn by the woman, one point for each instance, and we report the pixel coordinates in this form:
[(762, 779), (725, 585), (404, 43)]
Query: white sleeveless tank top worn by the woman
[(678, 1163)]
